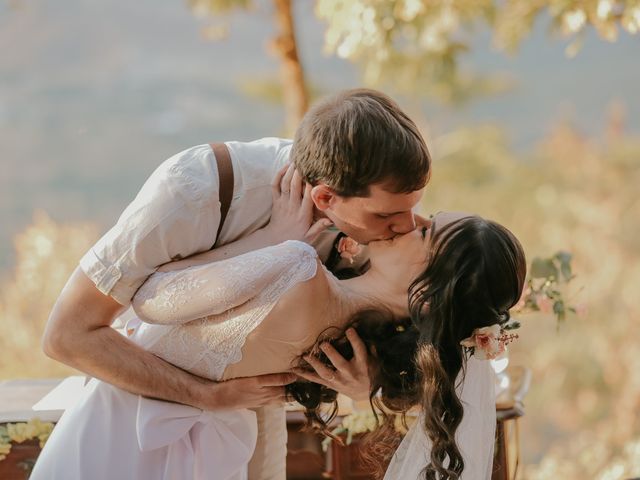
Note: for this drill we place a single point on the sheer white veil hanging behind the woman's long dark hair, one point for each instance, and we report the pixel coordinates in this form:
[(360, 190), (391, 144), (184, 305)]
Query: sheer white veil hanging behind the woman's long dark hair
[(475, 435)]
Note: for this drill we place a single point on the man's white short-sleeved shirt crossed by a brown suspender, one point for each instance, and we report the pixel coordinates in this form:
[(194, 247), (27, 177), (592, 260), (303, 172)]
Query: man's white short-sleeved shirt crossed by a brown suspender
[(177, 213)]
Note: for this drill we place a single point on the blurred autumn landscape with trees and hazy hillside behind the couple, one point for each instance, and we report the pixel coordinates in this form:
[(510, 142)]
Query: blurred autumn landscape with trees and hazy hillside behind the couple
[(530, 109)]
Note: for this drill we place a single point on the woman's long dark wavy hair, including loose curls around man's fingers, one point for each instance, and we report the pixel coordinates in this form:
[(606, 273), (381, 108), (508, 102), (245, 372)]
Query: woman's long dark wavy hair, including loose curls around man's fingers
[(474, 276)]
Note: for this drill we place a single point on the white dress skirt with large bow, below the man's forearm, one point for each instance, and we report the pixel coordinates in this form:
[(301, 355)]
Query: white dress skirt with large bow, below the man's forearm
[(113, 434)]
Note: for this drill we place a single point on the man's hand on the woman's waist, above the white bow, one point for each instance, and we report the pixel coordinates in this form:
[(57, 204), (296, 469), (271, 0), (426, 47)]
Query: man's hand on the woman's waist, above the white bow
[(249, 392)]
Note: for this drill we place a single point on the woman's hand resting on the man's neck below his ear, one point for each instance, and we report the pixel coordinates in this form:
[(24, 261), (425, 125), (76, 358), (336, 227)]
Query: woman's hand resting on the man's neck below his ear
[(292, 211)]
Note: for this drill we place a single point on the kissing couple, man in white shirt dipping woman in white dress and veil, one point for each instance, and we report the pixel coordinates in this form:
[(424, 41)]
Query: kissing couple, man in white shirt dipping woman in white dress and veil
[(247, 293)]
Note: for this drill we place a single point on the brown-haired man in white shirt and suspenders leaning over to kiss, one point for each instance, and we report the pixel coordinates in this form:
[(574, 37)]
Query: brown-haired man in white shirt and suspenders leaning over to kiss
[(368, 165)]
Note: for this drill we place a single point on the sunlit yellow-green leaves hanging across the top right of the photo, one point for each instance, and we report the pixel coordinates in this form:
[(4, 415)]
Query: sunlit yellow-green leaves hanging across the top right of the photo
[(416, 44)]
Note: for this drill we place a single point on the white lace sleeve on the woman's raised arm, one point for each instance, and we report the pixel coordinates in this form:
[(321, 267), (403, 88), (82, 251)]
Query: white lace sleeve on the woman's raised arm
[(181, 296)]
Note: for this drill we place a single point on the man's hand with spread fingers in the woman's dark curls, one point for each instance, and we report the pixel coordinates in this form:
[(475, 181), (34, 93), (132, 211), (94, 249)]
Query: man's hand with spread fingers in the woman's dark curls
[(350, 377)]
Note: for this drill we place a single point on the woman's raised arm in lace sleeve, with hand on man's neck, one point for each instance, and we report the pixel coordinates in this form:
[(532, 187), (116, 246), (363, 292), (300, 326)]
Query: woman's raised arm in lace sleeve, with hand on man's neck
[(225, 277)]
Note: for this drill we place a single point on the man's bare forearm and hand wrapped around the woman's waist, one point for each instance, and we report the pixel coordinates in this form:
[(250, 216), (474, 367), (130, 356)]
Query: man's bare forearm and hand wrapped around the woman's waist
[(78, 333)]
